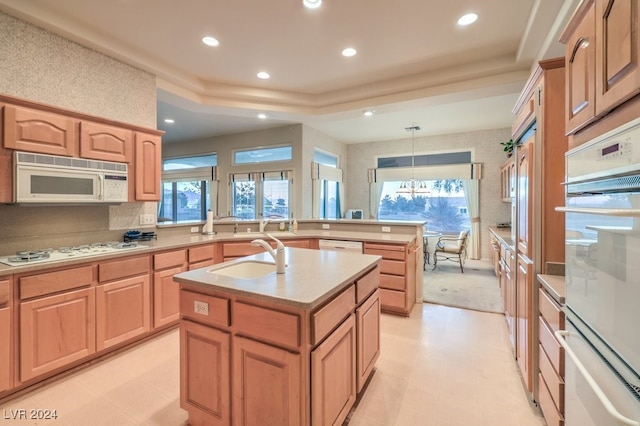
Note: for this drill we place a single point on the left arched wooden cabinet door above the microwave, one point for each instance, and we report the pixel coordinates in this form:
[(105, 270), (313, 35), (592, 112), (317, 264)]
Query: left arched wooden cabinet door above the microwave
[(27, 129)]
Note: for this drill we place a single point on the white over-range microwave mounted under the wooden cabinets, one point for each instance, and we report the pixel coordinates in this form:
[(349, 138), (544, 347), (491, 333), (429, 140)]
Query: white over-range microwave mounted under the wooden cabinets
[(40, 178)]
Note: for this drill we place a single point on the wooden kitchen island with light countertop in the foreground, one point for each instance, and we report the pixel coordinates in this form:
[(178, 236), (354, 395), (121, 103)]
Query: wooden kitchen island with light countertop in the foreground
[(293, 348)]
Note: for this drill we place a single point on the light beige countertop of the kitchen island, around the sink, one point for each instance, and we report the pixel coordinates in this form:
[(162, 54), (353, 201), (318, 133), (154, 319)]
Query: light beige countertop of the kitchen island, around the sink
[(311, 277)]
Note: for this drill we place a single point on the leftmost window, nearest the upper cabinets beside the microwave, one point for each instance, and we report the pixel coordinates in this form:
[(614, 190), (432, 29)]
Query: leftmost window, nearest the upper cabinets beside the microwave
[(188, 189)]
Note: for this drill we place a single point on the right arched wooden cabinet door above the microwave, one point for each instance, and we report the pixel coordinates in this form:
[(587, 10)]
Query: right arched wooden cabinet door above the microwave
[(104, 142)]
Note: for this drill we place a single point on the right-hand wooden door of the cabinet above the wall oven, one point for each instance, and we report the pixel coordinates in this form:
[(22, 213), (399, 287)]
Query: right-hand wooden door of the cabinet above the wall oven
[(618, 52)]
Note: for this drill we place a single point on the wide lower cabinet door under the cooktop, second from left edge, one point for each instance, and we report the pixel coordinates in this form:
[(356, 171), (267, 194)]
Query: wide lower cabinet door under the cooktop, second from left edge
[(55, 331)]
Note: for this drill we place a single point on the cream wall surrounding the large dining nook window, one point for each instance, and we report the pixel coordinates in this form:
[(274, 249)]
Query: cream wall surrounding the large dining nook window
[(484, 146)]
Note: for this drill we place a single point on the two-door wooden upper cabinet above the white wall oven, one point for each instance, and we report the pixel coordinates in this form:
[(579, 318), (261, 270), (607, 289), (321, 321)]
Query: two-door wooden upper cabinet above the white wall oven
[(602, 59)]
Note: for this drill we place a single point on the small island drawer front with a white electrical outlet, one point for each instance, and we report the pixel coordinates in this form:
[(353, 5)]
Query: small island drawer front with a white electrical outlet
[(204, 308)]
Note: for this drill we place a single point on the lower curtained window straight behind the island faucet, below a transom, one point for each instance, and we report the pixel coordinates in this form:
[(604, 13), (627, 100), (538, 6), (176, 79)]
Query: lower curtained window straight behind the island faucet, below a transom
[(266, 194)]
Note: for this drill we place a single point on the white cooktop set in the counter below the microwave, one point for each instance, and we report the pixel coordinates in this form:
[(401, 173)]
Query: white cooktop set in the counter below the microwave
[(62, 253)]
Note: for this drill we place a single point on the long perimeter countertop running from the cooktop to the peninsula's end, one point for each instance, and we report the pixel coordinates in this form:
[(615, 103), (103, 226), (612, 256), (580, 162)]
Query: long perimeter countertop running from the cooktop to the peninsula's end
[(187, 240)]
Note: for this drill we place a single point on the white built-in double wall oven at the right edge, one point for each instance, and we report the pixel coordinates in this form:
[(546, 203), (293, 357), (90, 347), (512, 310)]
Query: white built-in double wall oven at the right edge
[(602, 342)]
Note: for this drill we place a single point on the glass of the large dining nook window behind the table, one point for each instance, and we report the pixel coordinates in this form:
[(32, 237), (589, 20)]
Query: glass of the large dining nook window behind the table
[(442, 205)]
